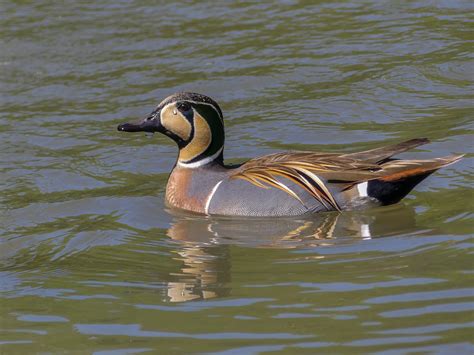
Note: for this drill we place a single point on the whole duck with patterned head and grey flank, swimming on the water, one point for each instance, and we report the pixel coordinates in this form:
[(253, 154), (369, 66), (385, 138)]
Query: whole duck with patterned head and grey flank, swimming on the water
[(292, 183)]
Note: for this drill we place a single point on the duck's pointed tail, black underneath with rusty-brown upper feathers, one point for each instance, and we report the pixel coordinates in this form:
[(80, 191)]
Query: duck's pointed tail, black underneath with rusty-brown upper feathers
[(402, 176)]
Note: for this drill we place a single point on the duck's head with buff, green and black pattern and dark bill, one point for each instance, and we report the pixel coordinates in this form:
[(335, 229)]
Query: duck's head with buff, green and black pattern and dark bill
[(193, 121)]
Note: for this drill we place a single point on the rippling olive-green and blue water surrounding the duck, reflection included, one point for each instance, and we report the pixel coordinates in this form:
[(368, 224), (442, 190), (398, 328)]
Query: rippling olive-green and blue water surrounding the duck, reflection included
[(92, 262)]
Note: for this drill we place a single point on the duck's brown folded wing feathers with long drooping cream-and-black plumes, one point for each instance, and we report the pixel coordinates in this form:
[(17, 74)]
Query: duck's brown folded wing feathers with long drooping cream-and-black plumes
[(315, 171)]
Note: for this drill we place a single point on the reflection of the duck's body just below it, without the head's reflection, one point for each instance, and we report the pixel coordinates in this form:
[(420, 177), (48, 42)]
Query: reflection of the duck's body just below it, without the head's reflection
[(290, 232)]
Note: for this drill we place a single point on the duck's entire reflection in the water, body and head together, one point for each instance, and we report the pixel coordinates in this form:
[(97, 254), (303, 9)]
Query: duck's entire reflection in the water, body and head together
[(204, 243)]
